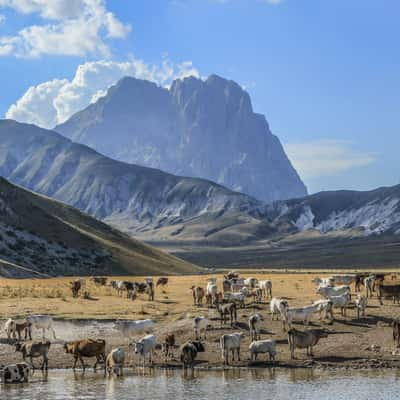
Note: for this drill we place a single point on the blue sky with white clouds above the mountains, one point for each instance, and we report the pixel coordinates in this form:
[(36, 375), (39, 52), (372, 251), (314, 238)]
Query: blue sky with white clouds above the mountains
[(325, 73)]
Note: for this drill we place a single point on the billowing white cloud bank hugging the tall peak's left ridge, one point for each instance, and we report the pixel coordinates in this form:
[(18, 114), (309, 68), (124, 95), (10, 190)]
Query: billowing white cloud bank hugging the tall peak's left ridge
[(52, 102)]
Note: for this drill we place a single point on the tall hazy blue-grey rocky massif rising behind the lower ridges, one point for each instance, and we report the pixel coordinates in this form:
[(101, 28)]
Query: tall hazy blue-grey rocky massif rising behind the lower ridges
[(196, 128)]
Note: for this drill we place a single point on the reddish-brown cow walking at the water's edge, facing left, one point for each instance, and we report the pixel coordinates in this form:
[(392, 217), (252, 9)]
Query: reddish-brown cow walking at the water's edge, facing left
[(87, 348)]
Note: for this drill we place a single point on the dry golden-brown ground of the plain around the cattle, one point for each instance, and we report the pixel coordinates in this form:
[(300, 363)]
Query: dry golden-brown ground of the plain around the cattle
[(351, 343)]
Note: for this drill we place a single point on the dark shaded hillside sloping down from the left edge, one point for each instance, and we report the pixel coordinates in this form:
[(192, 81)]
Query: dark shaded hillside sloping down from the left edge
[(42, 237)]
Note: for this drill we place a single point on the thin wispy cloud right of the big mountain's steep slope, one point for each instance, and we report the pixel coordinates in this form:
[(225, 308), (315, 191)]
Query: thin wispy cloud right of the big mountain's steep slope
[(326, 157)]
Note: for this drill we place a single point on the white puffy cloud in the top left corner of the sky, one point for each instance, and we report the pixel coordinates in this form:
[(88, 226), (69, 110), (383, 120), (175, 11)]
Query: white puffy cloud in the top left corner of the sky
[(75, 28)]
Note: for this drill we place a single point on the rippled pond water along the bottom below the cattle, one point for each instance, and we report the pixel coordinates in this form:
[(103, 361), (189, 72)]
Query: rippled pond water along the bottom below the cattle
[(257, 384)]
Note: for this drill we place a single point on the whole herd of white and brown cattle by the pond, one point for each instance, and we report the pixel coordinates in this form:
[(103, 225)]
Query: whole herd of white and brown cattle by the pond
[(226, 299)]
